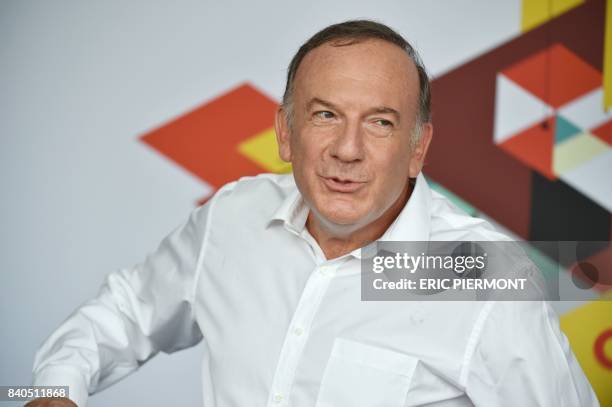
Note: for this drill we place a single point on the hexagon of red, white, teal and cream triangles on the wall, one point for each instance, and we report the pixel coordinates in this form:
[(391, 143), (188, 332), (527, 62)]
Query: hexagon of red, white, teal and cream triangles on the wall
[(549, 114)]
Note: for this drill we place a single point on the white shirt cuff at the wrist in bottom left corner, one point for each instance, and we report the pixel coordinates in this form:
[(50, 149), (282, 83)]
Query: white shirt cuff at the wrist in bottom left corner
[(64, 376)]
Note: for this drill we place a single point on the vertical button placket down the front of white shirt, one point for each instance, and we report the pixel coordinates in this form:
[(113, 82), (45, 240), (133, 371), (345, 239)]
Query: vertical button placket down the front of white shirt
[(297, 333)]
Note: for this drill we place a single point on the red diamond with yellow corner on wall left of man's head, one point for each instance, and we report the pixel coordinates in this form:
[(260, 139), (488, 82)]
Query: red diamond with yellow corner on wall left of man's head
[(224, 139)]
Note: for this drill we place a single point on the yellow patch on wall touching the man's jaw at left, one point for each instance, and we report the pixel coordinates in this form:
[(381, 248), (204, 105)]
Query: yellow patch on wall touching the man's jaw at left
[(262, 148)]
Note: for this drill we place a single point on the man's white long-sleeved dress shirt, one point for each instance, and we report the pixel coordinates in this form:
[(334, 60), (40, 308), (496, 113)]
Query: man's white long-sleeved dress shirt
[(284, 326)]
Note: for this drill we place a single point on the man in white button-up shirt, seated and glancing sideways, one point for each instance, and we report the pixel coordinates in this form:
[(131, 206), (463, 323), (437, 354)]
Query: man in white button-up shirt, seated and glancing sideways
[(267, 273)]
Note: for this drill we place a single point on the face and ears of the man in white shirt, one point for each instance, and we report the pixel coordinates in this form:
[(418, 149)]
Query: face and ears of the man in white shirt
[(354, 111)]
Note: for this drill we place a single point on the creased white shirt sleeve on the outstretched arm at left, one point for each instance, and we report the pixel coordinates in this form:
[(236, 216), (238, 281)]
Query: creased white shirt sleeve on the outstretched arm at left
[(138, 312)]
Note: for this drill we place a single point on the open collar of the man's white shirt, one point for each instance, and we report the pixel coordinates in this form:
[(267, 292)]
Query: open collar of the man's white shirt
[(412, 224)]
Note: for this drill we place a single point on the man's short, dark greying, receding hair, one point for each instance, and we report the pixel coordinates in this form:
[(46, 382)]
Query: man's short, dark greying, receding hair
[(351, 32)]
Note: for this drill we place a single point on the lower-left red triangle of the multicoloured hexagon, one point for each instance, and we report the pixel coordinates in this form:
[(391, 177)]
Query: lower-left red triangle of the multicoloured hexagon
[(534, 147)]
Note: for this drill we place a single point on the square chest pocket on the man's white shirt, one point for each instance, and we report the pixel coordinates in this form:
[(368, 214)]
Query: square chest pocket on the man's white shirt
[(363, 375)]
